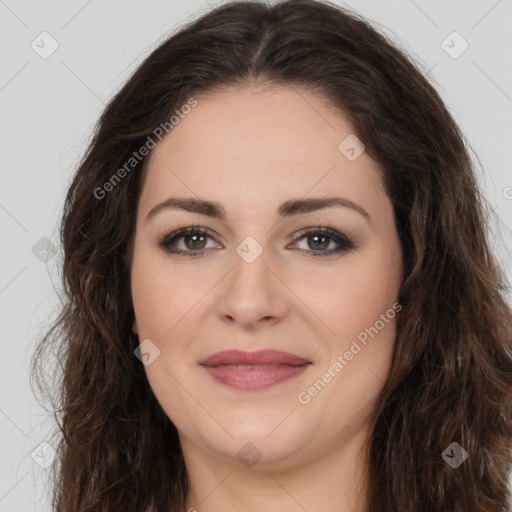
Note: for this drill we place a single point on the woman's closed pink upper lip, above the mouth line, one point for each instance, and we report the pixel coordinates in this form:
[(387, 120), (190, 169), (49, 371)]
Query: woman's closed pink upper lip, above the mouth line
[(240, 357)]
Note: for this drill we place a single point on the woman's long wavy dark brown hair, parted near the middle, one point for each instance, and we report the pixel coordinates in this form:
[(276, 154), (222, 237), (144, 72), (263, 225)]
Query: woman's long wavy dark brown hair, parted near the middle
[(451, 374)]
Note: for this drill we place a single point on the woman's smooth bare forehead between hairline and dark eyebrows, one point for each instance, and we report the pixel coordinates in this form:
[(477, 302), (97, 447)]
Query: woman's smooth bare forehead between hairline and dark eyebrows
[(259, 144)]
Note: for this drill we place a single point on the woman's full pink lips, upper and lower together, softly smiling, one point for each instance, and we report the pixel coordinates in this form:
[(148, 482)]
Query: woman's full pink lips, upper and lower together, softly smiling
[(253, 370)]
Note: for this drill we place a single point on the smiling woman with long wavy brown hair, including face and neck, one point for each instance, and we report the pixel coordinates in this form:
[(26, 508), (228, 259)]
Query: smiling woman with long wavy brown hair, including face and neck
[(280, 290)]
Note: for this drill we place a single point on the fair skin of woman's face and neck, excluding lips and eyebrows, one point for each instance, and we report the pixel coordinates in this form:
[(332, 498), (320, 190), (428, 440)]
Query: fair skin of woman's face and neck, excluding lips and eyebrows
[(250, 151)]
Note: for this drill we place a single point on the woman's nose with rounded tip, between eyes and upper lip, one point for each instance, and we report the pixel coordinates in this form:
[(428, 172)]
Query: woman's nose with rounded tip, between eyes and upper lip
[(254, 294)]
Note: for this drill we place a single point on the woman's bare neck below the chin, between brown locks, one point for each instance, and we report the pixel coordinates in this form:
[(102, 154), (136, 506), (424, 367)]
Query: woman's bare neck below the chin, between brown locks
[(333, 482)]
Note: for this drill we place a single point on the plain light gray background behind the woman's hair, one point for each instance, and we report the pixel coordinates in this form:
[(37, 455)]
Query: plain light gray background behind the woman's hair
[(48, 107)]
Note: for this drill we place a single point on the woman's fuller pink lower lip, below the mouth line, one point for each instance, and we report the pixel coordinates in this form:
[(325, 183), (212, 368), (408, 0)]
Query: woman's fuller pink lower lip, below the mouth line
[(254, 379)]
